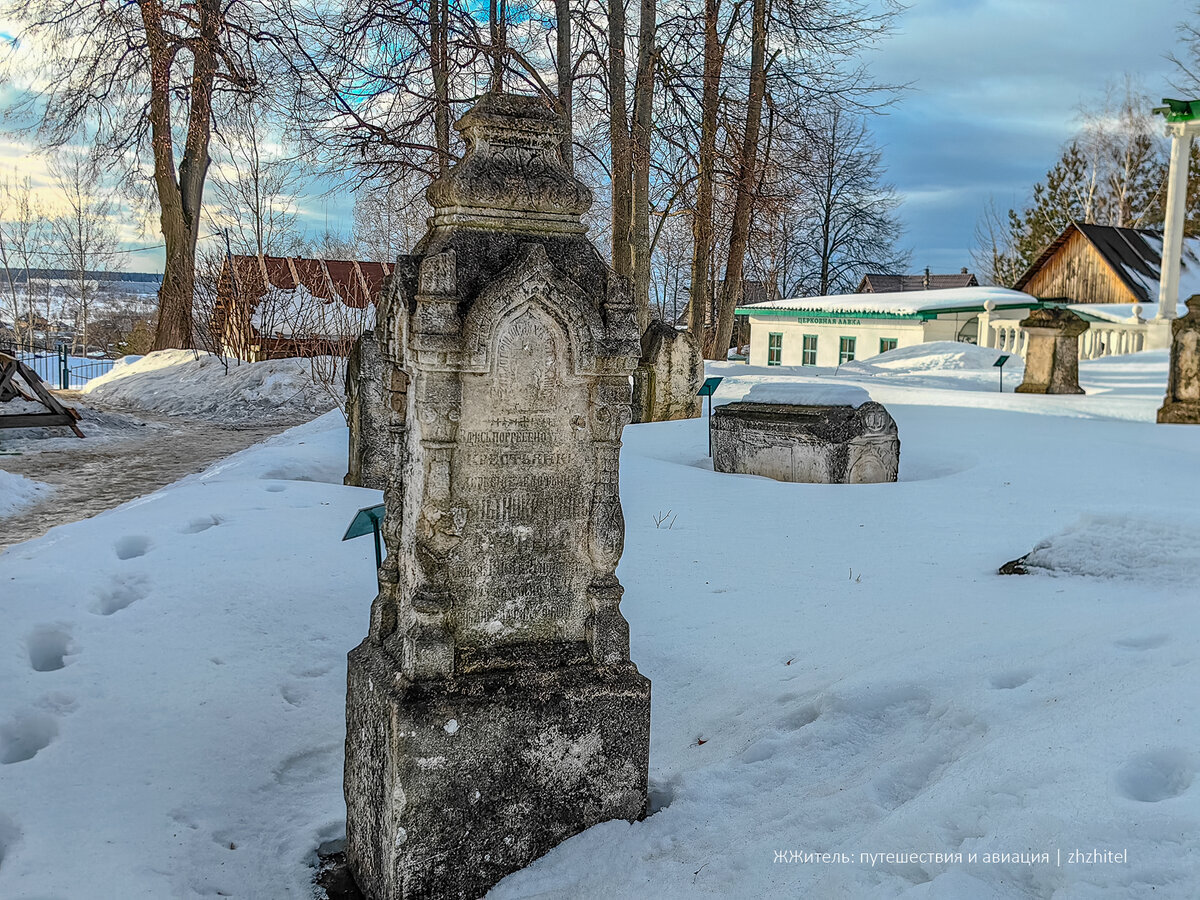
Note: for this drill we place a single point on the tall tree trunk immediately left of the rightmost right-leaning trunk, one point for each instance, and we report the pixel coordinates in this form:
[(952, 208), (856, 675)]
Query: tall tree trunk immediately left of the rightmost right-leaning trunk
[(703, 219)]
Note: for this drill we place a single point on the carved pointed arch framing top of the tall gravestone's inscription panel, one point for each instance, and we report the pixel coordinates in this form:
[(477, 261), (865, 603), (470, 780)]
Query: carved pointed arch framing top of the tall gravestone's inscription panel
[(533, 277)]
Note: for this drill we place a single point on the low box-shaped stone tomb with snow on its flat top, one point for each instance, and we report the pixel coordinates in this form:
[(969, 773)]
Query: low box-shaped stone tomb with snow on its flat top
[(817, 434)]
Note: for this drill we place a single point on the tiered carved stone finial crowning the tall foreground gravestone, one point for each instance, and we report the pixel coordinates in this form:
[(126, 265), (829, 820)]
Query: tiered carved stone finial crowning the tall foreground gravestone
[(512, 177)]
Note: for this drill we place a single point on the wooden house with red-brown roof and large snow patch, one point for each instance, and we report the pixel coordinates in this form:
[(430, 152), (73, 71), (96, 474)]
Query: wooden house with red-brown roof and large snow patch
[(271, 308)]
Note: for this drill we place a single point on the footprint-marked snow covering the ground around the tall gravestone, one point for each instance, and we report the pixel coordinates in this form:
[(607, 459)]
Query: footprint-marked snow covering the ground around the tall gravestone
[(836, 669)]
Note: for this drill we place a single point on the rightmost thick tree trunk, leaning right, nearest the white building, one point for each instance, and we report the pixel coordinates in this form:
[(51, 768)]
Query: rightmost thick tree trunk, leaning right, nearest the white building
[(743, 205)]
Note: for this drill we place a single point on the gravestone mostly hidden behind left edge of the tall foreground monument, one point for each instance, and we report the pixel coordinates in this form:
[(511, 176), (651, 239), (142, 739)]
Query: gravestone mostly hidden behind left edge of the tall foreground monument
[(371, 453)]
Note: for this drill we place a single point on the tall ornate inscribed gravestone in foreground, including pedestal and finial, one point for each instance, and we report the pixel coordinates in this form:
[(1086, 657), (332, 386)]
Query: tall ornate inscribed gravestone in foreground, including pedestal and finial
[(494, 711)]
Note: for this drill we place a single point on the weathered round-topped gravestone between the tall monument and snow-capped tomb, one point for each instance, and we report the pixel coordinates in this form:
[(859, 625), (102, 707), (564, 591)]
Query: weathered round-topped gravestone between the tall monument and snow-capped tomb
[(674, 373)]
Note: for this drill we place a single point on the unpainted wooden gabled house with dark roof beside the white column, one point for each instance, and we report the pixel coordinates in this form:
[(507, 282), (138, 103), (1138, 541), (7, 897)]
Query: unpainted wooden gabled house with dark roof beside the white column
[(1106, 265)]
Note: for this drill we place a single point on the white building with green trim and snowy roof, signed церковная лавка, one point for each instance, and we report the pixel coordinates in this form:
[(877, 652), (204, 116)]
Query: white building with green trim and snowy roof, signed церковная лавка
[(831, 331)]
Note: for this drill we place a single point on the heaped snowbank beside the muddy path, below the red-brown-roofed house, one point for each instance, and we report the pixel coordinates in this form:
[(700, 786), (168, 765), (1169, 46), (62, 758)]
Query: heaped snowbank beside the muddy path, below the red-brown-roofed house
[(201, 386)]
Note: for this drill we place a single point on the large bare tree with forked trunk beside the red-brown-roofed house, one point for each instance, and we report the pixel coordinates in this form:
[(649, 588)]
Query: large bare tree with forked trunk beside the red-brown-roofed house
[(145, 82)]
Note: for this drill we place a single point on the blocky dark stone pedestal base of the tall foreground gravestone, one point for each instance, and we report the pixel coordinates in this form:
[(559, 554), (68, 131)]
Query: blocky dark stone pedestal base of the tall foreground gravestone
[(451, 785)]
